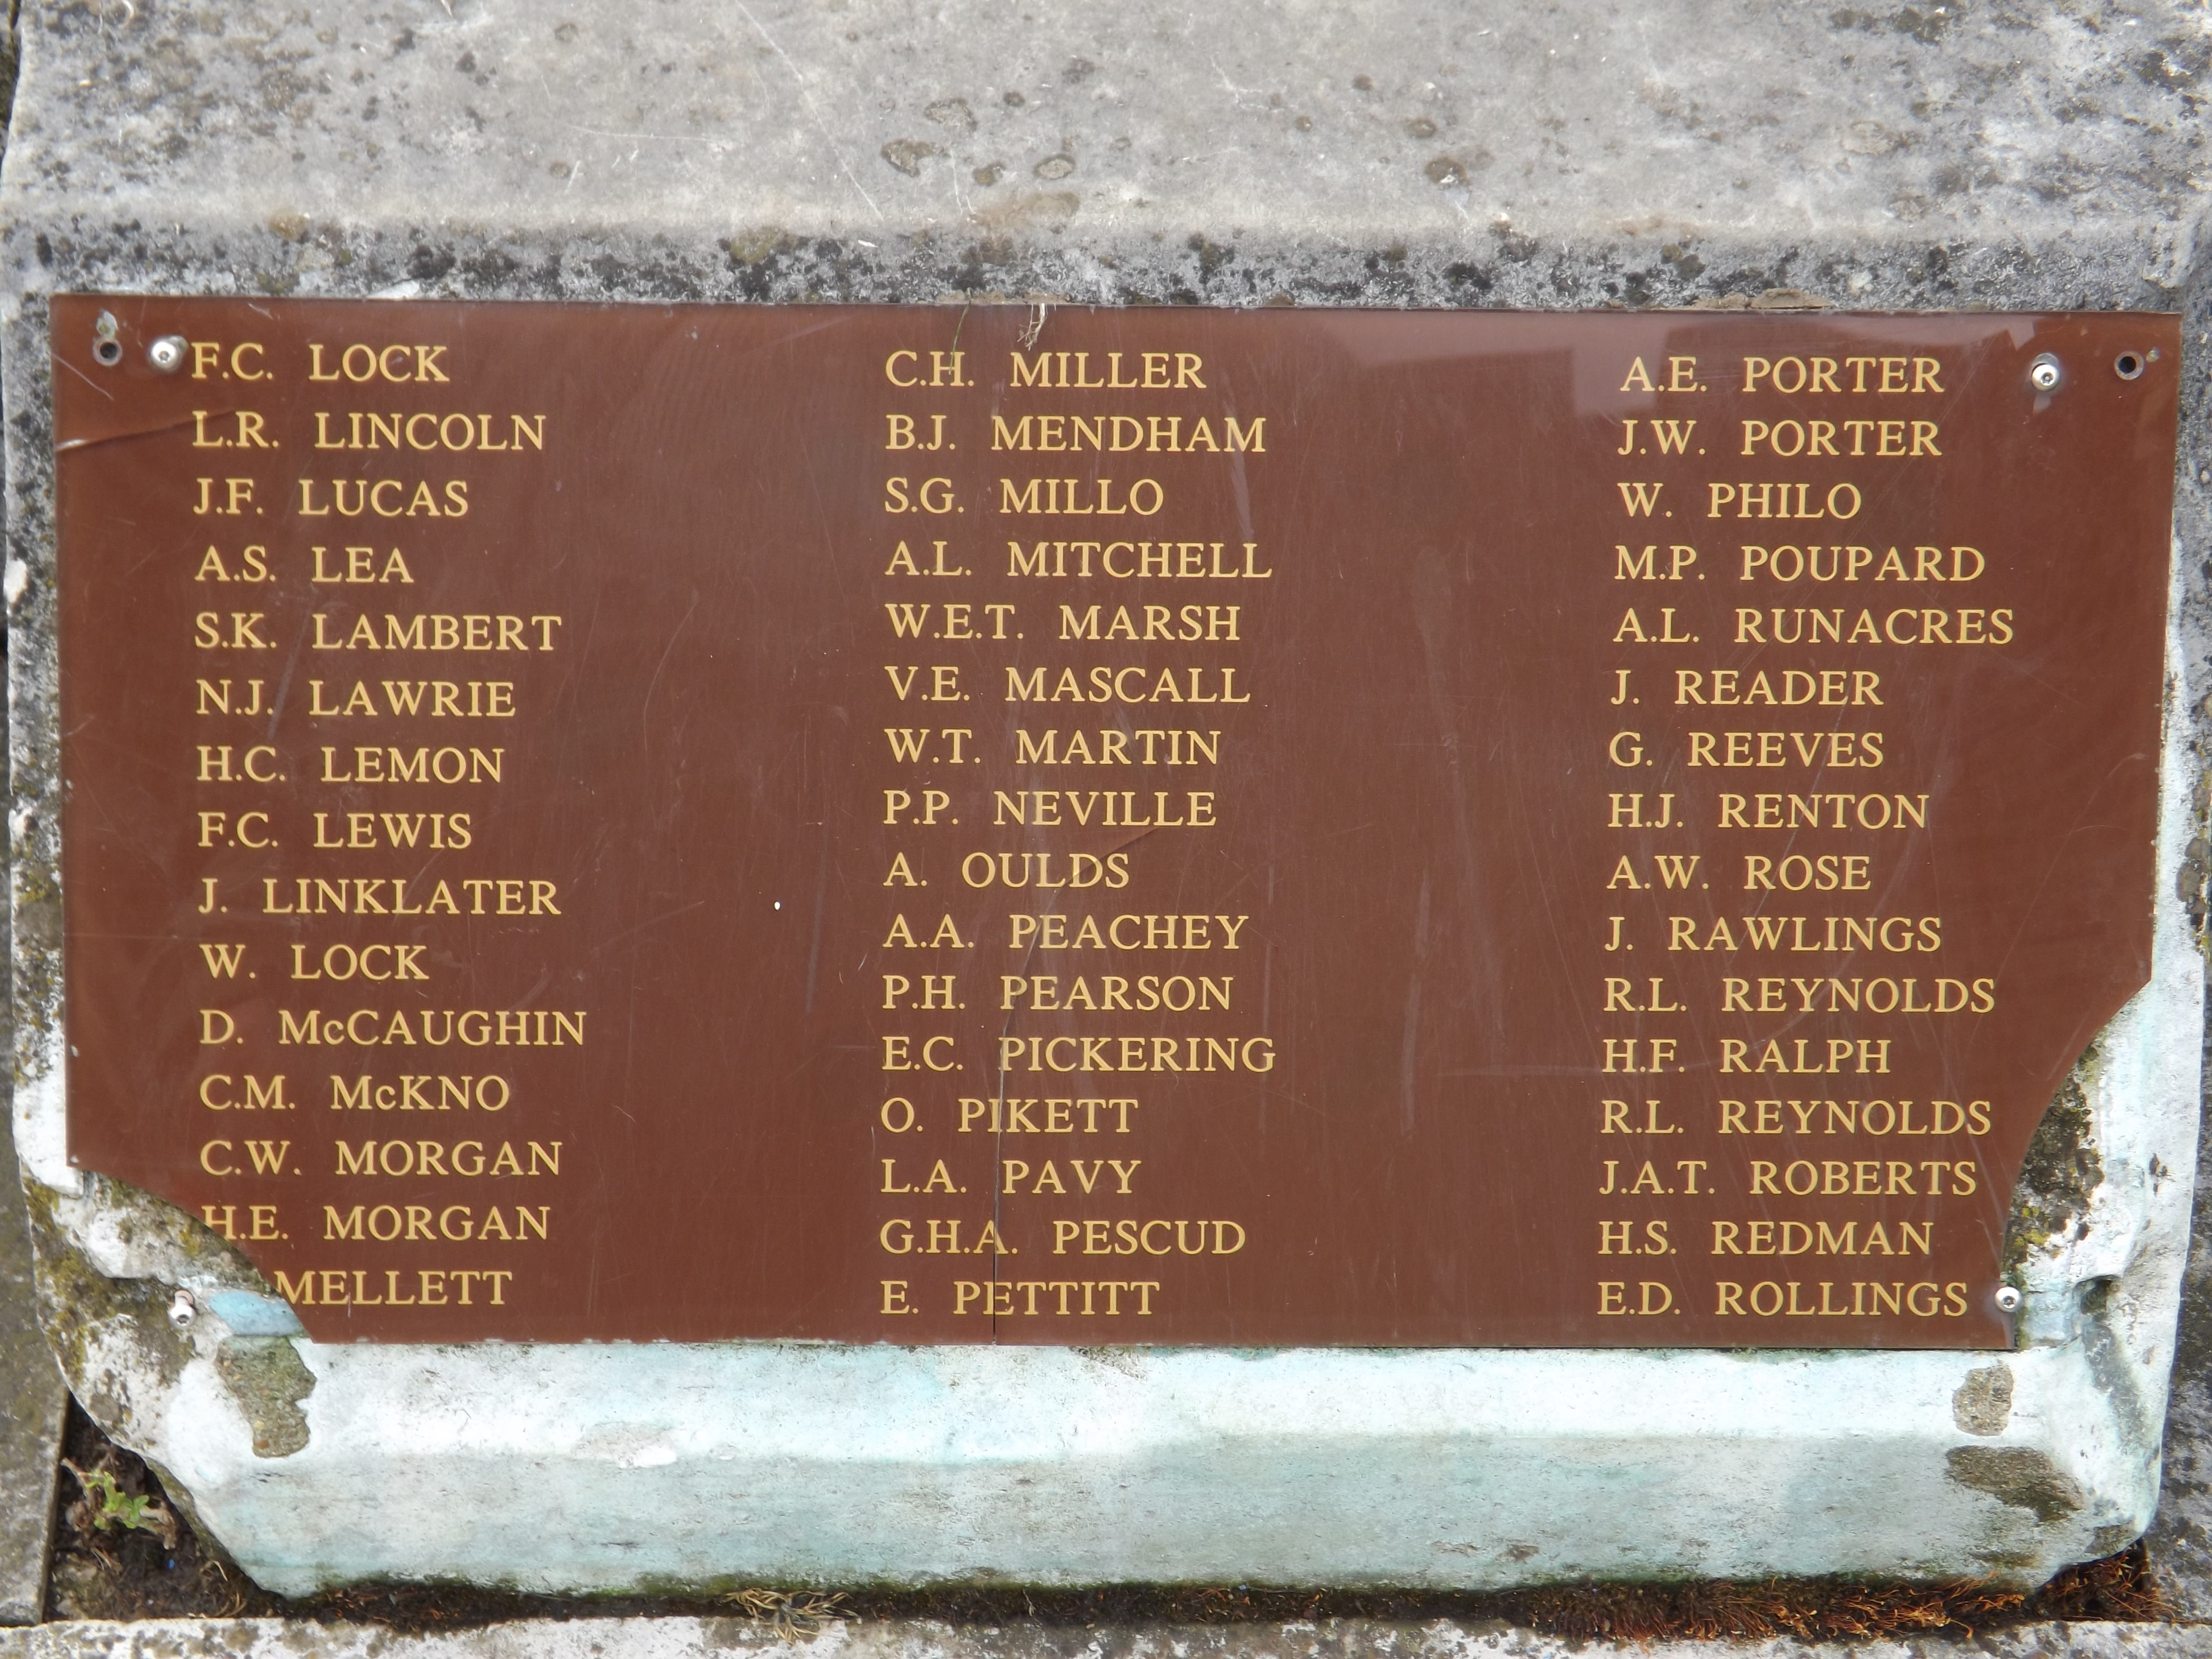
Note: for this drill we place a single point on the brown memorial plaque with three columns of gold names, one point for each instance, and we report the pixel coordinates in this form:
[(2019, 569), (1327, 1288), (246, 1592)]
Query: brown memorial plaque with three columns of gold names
[(1160, 826)]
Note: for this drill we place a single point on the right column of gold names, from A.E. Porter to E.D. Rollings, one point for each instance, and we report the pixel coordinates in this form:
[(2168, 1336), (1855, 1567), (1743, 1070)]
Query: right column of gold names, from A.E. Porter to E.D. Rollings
[(1773, 1145)]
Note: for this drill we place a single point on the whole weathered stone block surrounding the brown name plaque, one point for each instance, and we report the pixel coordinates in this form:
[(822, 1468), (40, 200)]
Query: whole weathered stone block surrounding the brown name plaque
[(1576, 158)]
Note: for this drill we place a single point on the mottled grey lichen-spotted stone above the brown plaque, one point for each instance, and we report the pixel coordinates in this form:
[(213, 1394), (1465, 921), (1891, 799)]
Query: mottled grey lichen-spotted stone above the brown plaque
[(1317, 152)]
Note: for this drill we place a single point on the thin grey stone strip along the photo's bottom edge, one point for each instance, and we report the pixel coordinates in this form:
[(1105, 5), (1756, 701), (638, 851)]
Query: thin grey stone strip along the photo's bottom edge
[(921, 1640)]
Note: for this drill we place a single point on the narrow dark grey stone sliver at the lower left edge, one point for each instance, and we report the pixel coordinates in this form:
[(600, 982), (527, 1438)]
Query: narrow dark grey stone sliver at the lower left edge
[(32, 1404)]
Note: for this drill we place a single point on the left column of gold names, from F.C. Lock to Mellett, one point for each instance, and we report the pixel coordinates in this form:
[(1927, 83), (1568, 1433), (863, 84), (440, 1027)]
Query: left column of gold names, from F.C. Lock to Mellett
[(373, 957)]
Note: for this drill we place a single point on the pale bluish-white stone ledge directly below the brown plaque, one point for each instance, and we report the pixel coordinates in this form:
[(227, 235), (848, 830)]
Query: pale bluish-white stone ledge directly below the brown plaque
[(824, 1465)]
